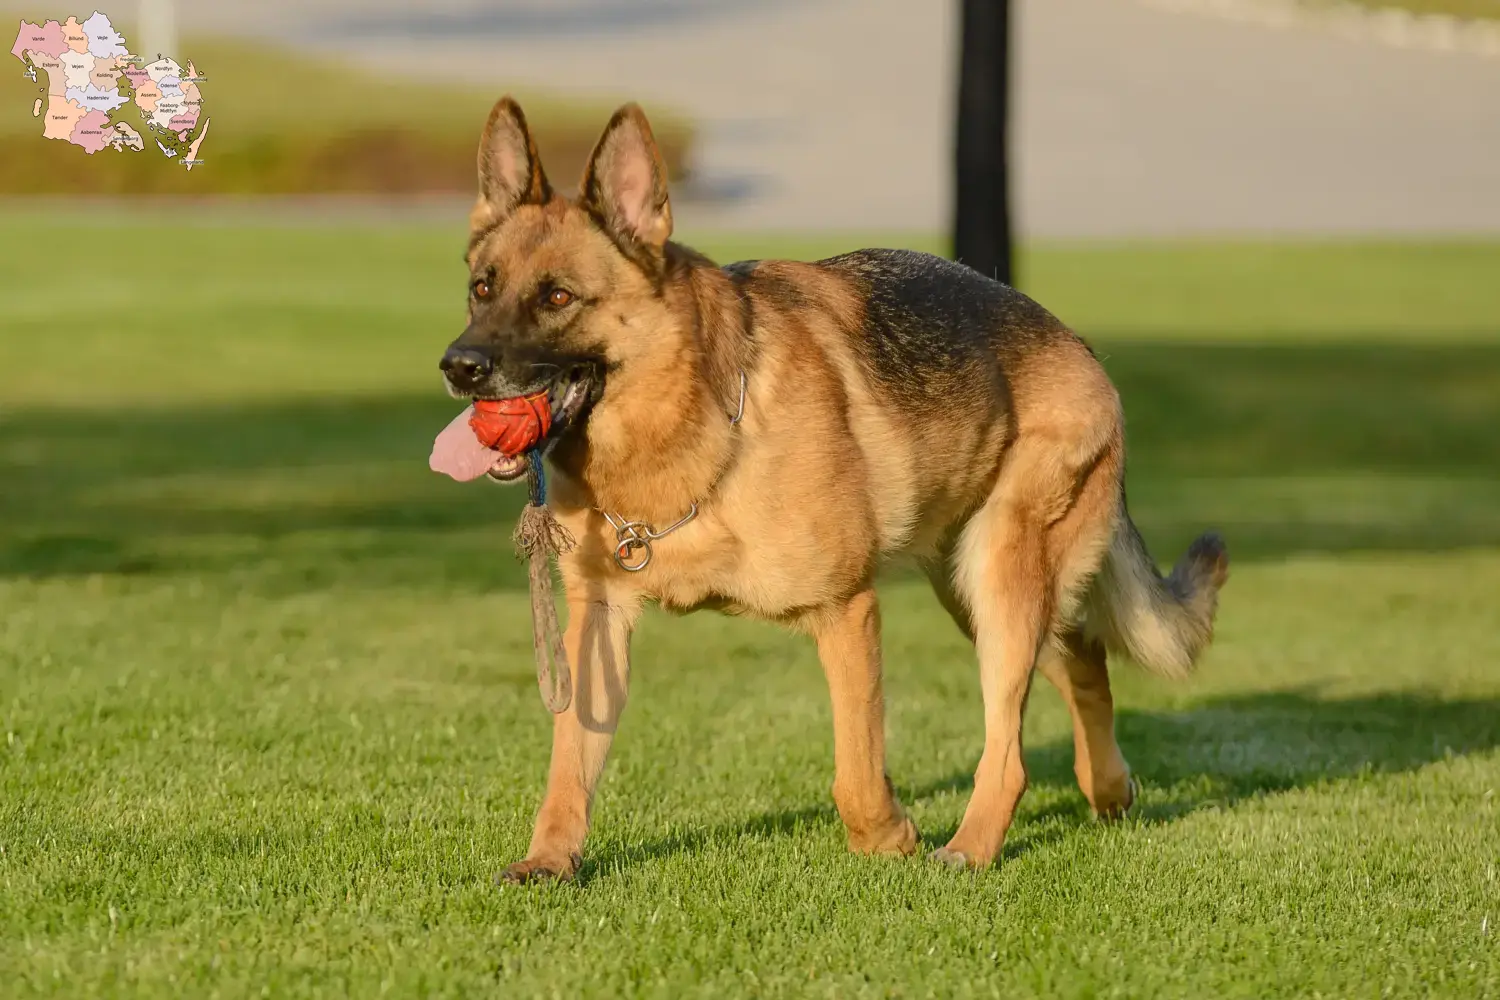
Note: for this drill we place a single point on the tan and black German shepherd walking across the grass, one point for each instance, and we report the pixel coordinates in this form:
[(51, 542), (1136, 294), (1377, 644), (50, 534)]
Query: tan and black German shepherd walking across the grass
[(760, 439)]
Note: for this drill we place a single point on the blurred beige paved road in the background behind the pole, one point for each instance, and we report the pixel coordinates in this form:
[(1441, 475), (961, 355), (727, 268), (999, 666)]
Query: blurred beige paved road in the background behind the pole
[(836, 113)]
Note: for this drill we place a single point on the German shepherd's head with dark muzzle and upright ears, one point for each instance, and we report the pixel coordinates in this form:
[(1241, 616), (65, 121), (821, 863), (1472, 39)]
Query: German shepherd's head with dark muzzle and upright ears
[(562, 292)]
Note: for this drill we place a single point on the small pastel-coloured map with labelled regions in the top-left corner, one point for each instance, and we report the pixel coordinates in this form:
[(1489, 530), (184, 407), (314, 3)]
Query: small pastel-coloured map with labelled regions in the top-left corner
[(92, 77)]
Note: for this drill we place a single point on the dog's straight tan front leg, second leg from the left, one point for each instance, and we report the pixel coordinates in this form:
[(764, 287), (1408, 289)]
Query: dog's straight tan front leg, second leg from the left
[(850, 648)]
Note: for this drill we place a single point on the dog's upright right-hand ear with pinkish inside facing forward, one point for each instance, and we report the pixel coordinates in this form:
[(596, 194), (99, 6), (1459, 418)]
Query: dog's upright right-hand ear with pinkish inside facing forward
[(626, 182)]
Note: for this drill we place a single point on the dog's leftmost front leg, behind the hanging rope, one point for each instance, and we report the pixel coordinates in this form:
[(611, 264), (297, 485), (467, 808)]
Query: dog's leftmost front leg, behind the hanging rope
[(598, 645)]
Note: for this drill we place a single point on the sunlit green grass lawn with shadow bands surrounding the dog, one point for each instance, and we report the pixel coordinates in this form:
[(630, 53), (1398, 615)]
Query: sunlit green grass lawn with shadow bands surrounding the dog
[(271, 723)]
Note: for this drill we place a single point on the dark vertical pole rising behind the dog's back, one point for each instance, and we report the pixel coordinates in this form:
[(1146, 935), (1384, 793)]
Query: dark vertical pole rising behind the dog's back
[(982, 232)]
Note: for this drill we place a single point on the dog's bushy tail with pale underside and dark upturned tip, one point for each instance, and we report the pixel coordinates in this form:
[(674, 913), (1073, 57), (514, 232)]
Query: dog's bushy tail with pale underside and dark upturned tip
[(1160, 623)]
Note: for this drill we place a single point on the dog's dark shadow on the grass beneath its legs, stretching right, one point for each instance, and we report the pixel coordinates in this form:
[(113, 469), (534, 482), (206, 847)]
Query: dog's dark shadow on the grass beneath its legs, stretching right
[(1216, 755)]
